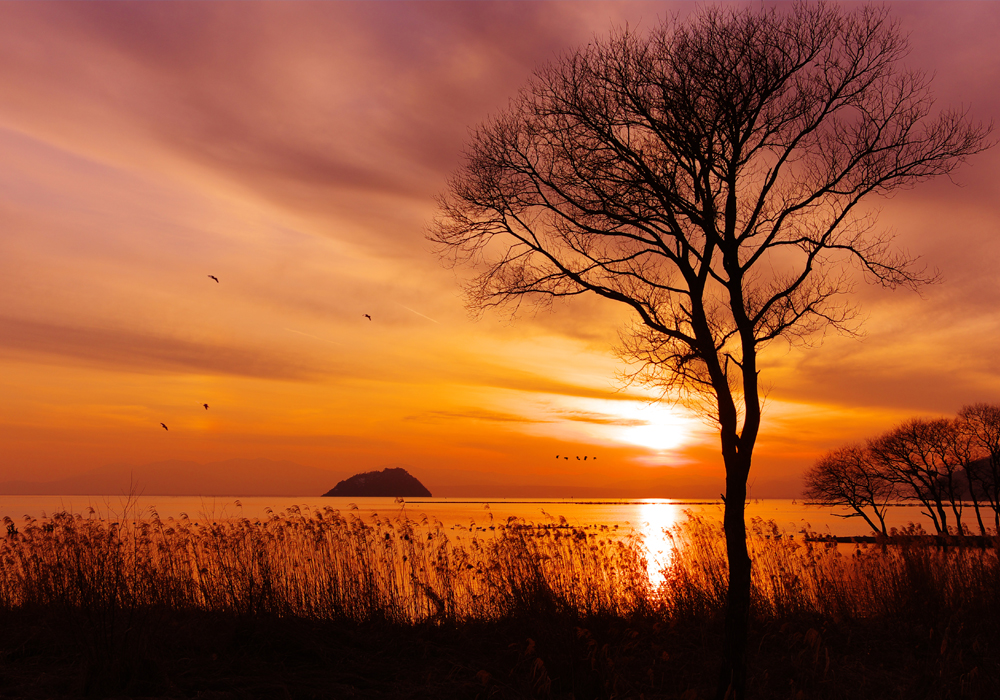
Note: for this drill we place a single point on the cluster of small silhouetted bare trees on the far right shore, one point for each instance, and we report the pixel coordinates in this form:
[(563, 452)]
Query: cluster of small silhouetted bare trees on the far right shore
[(945, 464)]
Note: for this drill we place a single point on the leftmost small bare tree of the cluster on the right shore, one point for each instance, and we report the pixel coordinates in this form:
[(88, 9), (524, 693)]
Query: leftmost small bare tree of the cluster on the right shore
[(850, 477)]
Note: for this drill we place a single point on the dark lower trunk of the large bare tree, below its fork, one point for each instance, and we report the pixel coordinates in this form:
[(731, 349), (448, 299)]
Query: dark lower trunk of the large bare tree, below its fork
[(732, 683)]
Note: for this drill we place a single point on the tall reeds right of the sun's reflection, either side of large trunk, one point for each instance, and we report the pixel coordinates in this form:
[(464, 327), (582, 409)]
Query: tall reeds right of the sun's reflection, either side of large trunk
[(795, 576)]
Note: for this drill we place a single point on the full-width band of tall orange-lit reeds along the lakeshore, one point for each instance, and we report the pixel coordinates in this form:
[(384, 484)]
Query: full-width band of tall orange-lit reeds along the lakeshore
[(321, 564)]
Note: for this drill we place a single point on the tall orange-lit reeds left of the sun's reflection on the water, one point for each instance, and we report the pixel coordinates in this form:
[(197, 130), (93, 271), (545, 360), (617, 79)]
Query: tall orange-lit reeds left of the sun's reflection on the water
[(319, 564)]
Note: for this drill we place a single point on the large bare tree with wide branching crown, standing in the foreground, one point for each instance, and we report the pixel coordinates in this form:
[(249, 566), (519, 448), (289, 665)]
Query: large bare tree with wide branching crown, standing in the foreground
[(707, 174)]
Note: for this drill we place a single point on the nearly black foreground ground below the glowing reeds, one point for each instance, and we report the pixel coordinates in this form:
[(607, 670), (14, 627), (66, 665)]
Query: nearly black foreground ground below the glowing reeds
[(201, 655)]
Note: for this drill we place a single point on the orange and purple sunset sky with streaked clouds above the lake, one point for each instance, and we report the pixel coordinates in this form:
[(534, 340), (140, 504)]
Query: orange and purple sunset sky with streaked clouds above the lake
[(294, 150)]
